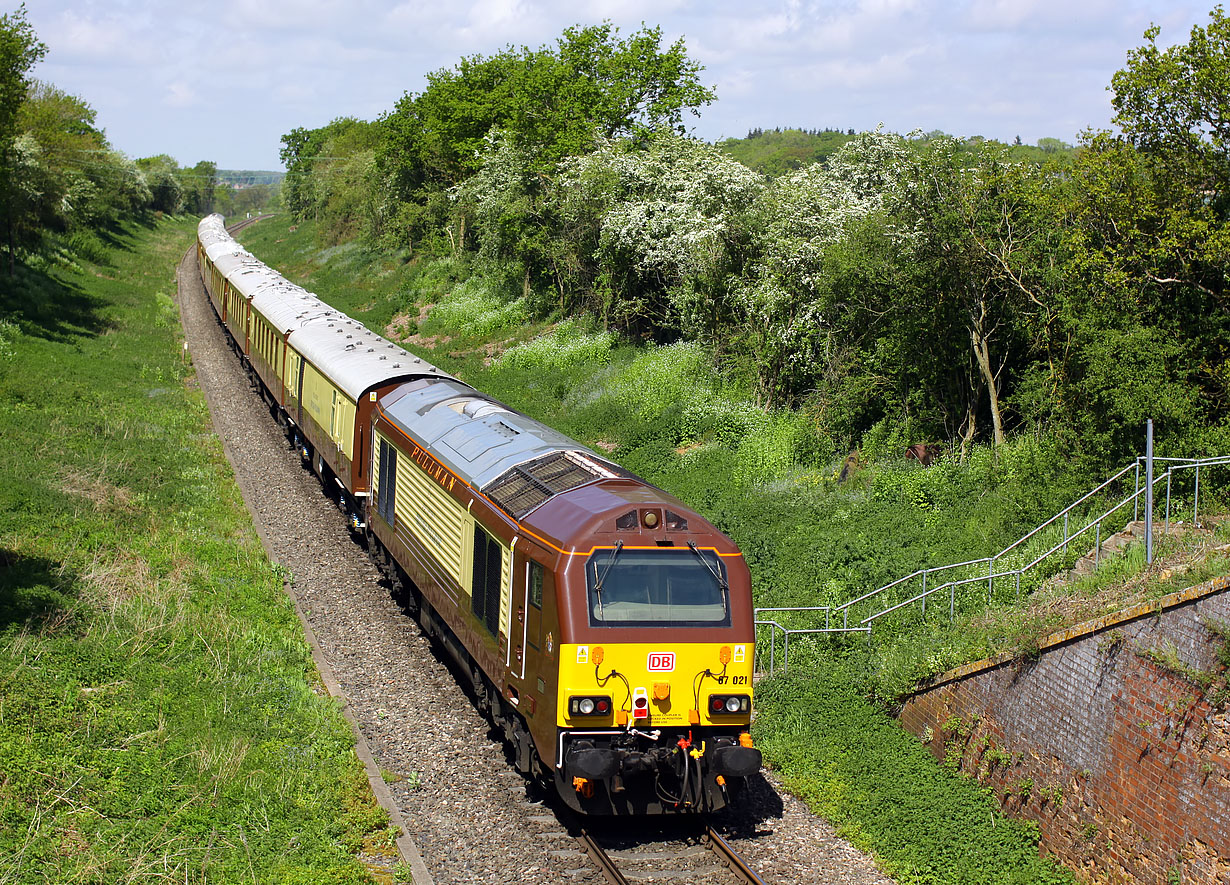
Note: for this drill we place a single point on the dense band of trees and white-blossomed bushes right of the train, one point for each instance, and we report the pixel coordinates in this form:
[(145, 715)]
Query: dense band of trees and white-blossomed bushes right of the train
[(921, 288)]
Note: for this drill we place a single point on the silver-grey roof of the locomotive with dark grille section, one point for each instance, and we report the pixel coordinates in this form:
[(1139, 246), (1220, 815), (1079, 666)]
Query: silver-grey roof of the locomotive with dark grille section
[(515, 460)]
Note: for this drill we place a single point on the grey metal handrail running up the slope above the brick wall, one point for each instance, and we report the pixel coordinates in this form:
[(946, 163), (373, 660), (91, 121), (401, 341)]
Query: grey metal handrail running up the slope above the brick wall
[(992, 575)]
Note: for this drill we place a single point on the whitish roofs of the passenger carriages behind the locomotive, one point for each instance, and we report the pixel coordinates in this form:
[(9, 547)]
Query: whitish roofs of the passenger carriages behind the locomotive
[(347, 352)]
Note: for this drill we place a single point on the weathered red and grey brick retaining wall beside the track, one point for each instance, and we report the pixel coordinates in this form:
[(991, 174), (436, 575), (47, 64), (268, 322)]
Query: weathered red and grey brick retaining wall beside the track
[(1103, 741)]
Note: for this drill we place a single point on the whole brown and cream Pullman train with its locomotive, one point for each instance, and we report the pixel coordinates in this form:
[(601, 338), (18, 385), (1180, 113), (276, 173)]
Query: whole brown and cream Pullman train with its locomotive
[(601, 623)]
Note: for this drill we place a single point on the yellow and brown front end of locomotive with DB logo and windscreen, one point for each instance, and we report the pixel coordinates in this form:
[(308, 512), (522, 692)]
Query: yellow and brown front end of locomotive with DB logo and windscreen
[(655, 682)]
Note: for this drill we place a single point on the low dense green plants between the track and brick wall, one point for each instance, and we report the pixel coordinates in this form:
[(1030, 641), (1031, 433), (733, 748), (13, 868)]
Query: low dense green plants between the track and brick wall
[(883, 790)]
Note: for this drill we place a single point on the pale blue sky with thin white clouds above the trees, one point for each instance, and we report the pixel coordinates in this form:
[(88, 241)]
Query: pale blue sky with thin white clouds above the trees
[(226, 81)]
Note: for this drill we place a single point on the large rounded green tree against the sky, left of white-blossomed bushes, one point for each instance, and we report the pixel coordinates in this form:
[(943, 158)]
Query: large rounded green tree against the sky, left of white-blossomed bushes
[(553, 103)]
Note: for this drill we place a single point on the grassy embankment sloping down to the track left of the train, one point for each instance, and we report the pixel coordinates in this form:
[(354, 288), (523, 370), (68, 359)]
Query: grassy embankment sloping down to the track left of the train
[(161, 716)]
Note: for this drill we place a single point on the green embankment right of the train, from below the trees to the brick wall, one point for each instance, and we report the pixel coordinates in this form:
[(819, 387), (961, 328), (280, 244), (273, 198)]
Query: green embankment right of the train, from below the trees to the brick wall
[(772, 484)]
